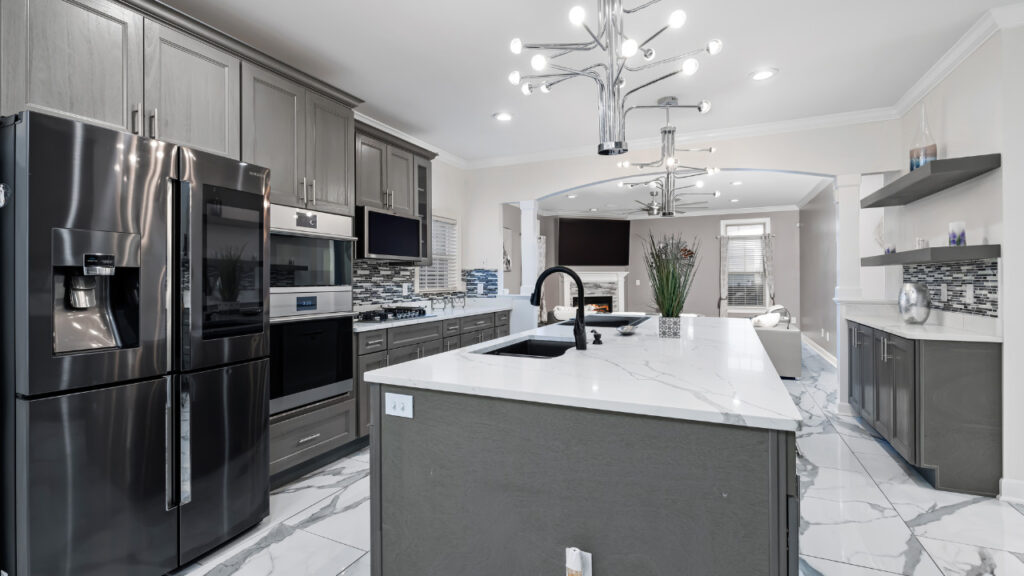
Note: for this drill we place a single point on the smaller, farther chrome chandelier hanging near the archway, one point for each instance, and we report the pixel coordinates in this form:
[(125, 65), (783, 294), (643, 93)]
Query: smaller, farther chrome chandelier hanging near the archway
[(666, 191)]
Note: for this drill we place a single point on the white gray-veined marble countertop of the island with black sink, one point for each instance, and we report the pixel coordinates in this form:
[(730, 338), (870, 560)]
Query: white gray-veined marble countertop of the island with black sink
[(717, 373)]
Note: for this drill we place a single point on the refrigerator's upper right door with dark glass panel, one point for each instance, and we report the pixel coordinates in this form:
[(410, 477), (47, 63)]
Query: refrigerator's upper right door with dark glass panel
[(224, 234)]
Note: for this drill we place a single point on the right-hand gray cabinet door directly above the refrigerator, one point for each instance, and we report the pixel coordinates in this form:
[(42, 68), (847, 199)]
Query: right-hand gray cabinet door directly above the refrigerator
[(193, 93)]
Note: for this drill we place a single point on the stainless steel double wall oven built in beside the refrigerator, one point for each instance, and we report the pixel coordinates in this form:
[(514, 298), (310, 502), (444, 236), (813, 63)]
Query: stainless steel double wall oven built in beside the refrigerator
[(311, 307)]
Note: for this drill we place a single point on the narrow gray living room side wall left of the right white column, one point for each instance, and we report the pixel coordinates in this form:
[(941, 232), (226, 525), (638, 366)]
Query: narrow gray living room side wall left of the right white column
[(818, 262)]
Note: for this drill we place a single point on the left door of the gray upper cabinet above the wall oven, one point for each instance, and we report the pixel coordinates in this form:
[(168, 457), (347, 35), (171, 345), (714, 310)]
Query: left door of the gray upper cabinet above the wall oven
[(274, 132)]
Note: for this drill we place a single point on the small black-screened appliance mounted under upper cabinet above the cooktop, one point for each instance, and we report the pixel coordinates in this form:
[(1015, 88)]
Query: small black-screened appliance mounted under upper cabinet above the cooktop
[(386, 236)]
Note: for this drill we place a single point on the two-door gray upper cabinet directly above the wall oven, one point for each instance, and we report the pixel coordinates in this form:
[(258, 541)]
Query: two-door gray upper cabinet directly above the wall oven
[(304, 138)]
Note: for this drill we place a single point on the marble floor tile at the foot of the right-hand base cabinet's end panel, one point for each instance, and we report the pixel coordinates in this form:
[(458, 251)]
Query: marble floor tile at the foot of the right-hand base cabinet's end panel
[(947, 516)]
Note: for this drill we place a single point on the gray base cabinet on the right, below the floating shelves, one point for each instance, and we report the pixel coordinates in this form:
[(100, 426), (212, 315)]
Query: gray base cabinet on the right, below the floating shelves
[(937, 403)]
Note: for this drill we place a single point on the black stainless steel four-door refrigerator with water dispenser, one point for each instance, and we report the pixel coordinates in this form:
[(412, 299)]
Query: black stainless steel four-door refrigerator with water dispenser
[(136, 327)]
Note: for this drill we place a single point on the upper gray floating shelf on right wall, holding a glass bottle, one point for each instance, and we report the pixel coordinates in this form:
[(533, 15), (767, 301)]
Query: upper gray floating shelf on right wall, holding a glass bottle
[(932, 179)]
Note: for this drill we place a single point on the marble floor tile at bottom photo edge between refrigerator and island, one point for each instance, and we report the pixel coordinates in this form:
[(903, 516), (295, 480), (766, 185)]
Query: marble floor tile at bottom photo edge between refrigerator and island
[(286, 551)]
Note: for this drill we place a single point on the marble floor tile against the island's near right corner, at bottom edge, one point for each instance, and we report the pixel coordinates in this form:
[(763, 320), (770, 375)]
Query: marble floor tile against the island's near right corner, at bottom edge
[(845, 518)]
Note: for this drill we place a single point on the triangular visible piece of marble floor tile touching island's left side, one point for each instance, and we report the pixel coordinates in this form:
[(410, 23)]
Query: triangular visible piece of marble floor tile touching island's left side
[(344, 518)]
